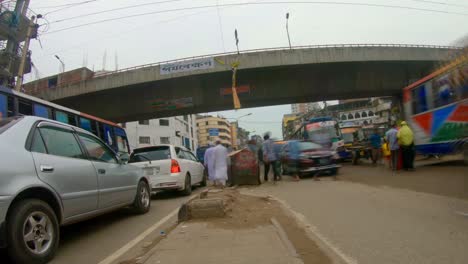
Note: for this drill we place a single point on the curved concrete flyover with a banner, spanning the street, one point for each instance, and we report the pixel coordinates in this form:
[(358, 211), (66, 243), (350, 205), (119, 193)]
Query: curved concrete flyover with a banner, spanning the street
[(265, 77)]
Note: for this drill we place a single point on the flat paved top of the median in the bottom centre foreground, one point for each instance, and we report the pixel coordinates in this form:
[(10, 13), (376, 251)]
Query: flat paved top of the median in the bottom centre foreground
[(200, 243)]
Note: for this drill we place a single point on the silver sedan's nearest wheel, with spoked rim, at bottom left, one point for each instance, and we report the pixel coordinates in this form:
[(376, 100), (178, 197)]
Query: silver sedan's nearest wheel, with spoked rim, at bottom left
[(32, 232)]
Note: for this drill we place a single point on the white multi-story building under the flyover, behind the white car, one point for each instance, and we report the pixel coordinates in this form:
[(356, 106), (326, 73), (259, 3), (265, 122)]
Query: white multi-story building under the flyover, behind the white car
[(179, 131)]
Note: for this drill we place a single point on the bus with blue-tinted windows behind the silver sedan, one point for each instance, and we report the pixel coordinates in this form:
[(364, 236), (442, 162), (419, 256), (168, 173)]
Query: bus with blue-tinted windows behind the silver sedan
[(13, 103)]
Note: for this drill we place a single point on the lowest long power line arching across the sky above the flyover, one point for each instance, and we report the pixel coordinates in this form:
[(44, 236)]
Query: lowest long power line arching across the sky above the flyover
[(259, 3)]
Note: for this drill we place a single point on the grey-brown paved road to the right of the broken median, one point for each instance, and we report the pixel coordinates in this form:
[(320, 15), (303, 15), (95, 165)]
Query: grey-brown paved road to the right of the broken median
[(378, 224)]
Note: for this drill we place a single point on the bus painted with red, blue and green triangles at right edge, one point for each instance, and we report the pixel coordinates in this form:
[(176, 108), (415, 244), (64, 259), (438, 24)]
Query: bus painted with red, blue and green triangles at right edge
[(436, 108)]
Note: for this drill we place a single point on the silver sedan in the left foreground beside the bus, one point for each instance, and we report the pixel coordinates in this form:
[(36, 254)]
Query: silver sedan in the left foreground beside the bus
[(53, 174)]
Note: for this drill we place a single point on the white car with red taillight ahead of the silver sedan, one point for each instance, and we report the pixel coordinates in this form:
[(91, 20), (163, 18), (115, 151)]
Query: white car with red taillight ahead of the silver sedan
[(169, 167)]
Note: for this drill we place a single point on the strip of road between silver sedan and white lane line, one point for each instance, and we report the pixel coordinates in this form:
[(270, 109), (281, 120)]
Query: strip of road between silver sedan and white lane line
[(95, 239)]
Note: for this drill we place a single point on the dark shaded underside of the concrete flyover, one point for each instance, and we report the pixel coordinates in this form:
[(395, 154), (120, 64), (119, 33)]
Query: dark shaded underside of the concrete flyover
[(259, 87)]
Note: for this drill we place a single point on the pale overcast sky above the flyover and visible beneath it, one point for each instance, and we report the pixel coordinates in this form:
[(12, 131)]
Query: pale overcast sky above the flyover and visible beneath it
[(169, 35)]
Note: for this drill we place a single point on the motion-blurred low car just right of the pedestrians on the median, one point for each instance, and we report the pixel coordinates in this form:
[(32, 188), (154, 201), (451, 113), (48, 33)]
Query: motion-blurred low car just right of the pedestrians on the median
[(305, 157)]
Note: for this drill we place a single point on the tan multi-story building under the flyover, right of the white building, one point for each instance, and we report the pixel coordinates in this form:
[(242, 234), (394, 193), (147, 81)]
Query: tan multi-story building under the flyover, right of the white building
[(212, 128)]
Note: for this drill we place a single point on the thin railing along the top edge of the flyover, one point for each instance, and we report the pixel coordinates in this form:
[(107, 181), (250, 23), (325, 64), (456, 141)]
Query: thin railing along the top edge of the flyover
[(273, 49)]
